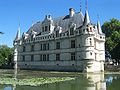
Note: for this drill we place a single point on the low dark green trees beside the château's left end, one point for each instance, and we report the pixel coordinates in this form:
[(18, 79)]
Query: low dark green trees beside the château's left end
[(6, 55)]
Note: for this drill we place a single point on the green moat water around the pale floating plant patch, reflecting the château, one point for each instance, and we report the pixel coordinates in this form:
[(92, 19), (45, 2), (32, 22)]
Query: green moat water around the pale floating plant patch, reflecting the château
[(81, 81)]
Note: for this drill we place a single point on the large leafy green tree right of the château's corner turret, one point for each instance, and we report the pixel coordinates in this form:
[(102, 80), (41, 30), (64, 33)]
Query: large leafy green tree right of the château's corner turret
[(112, 31)]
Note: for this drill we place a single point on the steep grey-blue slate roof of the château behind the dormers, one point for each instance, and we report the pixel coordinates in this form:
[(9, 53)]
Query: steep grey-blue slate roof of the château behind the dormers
[(63, 22)]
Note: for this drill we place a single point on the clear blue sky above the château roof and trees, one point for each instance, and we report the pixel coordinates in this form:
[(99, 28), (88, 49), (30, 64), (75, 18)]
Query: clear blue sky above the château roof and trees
[(23, 13)]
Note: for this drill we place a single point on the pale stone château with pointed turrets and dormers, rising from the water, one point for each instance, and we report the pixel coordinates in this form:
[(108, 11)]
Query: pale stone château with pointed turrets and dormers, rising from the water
[(68, 43)]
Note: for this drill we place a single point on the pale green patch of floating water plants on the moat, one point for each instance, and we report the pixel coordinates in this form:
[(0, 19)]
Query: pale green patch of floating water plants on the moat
[(34, 81)]
